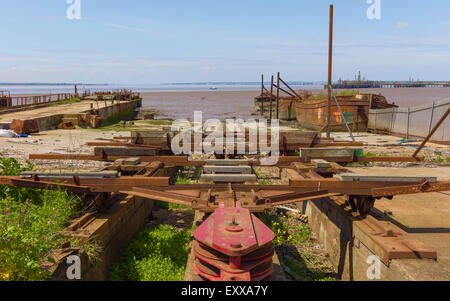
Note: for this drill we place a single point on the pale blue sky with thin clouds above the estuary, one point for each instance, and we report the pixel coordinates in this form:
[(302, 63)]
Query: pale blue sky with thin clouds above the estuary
[(137, 41)]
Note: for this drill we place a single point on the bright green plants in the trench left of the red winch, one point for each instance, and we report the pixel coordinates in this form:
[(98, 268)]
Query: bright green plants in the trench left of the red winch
[(156, 254)]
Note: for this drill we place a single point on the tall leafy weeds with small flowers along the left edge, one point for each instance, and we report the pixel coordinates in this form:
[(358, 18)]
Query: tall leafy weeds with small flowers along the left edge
[(31, 225)]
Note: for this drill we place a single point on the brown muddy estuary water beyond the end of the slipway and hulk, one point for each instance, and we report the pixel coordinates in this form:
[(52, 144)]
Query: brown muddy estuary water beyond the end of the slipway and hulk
[(240, 104)]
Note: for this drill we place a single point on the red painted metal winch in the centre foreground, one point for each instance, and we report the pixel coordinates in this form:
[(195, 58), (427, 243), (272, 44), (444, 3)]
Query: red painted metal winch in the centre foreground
[(233, 245)]
